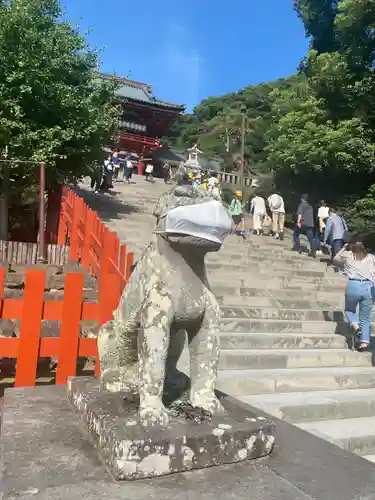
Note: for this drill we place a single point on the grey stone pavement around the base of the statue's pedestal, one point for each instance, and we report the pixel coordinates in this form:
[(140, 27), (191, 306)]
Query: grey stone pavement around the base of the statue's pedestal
[(46, 456)]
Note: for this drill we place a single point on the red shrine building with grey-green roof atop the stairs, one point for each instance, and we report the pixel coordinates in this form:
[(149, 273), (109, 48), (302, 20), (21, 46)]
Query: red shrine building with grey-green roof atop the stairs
[(145, 118)]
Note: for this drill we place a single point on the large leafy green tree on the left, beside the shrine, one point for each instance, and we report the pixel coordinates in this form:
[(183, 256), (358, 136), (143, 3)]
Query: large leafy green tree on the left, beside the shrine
[(53, 105)]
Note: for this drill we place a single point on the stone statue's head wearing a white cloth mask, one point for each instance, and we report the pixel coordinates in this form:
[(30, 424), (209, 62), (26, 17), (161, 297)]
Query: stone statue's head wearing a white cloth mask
[(189, 215)]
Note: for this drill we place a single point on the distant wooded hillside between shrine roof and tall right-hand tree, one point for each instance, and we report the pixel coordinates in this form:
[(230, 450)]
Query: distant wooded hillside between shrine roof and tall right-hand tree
[(215, 124)]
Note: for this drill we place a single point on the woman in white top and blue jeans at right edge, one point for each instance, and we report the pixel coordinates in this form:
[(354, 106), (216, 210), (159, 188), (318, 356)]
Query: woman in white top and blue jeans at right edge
[(359, 267)]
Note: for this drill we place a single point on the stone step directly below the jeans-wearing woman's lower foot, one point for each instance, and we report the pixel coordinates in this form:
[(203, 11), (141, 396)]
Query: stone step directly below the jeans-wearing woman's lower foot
[(246, 359)]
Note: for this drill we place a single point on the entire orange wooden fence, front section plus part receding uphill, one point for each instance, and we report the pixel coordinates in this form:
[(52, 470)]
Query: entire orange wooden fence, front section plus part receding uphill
[(96, 248)]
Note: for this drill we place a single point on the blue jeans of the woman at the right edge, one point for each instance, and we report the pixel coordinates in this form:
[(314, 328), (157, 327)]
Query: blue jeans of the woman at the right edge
[(360, 294)]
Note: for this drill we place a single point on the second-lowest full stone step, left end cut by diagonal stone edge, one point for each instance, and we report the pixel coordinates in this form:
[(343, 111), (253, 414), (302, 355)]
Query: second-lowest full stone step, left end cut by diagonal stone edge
[(316, 405)]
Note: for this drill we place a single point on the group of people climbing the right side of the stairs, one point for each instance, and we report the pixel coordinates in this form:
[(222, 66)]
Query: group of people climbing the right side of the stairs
[(325, 228)]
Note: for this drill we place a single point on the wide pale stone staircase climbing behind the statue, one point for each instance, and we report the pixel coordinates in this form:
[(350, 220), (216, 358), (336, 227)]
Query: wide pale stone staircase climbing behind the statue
[(284, 342)]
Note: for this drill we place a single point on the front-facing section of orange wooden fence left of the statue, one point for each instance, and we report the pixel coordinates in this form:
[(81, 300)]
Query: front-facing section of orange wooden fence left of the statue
[(32, 309)]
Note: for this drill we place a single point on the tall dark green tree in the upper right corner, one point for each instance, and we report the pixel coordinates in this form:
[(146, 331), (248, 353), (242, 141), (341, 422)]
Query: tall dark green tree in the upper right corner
[(325, 144)]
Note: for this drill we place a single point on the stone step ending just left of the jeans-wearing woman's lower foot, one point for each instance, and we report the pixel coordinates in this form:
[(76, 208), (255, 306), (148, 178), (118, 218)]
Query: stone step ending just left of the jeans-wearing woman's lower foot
[(293, 341)]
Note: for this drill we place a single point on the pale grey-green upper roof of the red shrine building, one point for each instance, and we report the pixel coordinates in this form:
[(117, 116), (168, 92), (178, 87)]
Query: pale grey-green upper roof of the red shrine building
[(140, 92)]
